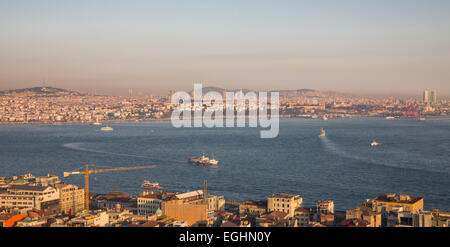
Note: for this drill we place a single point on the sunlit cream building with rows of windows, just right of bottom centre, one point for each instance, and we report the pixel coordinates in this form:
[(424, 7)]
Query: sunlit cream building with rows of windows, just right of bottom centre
[(284, 203)]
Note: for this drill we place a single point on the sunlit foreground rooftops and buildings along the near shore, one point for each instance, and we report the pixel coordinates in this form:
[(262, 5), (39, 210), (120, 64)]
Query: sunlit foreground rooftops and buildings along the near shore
[(46, 201)]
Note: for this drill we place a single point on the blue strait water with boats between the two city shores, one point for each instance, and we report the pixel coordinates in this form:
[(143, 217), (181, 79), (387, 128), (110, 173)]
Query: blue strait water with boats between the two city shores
[(413, 158)]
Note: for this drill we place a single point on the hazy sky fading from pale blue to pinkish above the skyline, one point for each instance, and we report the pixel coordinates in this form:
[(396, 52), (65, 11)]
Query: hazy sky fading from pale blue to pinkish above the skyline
[(110, 46)]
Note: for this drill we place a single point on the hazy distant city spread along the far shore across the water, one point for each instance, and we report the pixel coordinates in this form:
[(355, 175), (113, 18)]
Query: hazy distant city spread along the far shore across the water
[(53, 105)]
